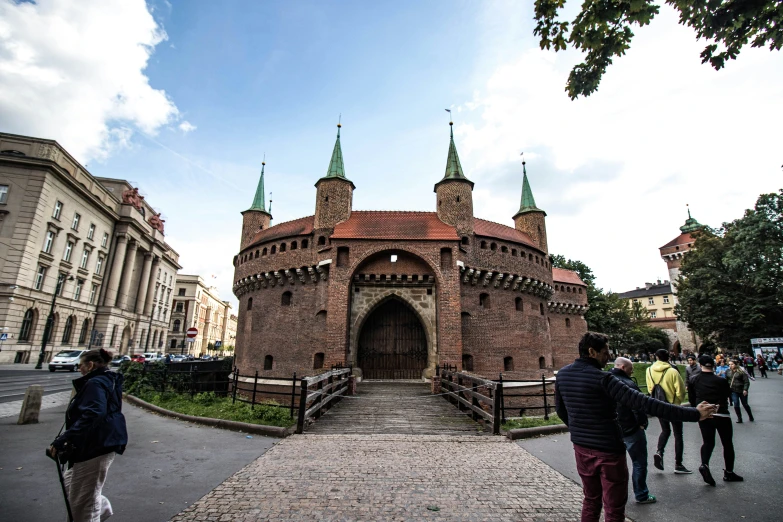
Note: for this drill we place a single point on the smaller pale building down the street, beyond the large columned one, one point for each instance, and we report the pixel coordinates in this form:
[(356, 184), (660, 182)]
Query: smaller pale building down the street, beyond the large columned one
[(196, 305)]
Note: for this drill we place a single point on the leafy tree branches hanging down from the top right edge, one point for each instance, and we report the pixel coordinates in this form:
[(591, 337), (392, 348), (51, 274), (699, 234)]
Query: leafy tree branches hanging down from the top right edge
[(603, 30)]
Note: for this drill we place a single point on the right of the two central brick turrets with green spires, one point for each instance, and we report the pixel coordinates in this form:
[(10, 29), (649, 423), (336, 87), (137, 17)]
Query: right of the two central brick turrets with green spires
[(454, 193)]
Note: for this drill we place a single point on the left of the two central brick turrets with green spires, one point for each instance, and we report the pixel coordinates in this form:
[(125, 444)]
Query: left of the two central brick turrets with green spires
[(334, 196)]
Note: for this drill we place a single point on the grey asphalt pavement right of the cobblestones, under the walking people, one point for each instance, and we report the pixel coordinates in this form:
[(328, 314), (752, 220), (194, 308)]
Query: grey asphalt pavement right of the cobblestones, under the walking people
[(686, 498)]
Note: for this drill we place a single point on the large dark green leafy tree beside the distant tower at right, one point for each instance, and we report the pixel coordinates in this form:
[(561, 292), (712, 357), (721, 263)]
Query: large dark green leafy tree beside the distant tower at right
[(730, 287)]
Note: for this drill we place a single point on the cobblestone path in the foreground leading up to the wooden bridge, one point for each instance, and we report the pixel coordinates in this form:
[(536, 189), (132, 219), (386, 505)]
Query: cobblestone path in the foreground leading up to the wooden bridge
[(392, 477)]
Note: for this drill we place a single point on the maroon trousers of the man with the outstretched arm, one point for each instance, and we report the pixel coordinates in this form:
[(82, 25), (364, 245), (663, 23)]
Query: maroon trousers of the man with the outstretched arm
[(604, 480)]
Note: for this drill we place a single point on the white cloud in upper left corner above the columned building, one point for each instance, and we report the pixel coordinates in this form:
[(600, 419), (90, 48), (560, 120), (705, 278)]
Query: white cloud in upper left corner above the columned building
[(74, 72)]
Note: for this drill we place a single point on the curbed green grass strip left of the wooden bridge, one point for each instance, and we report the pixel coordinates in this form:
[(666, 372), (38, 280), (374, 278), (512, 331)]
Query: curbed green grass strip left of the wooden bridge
[(215, 407)]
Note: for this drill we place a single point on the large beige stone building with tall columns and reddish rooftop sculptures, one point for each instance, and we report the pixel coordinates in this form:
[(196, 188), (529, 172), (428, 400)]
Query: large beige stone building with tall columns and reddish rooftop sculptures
[(97, 237)]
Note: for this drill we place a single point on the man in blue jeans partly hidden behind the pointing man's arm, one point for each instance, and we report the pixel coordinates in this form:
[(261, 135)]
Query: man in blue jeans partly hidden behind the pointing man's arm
[(634, 423)]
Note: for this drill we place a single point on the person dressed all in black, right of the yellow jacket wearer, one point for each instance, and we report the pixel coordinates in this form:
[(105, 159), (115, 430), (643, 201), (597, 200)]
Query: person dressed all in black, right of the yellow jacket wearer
[(706, 386)]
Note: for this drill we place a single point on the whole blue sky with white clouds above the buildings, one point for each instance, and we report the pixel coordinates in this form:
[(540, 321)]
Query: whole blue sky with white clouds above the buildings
[(185, 98)]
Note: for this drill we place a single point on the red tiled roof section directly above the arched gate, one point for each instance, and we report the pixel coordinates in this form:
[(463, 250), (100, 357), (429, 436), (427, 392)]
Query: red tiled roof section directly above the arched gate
[(377, 224)]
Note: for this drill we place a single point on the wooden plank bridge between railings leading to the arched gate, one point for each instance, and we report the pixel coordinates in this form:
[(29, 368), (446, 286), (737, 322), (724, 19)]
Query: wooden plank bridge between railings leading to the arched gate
[(395, 408)]
